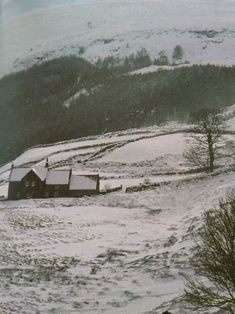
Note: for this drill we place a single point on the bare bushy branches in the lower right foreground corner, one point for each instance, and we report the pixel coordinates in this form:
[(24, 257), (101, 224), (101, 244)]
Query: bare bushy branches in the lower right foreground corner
[(214, 261)]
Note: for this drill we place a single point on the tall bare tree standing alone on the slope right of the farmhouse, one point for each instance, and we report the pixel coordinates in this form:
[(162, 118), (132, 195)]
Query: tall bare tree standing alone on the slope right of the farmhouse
[(208, 128)]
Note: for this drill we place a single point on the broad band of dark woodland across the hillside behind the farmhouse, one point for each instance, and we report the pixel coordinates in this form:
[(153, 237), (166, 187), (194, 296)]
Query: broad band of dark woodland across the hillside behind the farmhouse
[(32, 101)]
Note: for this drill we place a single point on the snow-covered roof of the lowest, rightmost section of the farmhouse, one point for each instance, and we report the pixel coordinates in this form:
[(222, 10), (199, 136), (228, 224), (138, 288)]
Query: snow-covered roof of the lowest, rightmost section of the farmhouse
[(82, 182)]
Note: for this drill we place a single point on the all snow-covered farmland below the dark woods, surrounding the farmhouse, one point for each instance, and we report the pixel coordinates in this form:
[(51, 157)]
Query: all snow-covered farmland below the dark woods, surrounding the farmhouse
[(114, 253)]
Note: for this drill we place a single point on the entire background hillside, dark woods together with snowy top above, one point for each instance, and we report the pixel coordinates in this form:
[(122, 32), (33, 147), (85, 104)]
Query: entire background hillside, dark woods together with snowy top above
[(77, 66)]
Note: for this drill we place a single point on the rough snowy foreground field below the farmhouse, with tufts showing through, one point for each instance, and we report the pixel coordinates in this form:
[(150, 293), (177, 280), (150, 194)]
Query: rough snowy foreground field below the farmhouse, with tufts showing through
[(120, 253)]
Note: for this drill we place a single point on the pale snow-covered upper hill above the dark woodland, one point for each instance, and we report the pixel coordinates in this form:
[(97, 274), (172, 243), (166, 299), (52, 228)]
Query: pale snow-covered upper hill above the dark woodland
[(205, 30)]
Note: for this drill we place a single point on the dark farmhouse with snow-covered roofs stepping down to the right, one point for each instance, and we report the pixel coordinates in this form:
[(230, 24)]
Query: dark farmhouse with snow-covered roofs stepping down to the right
[(41, 182)]
